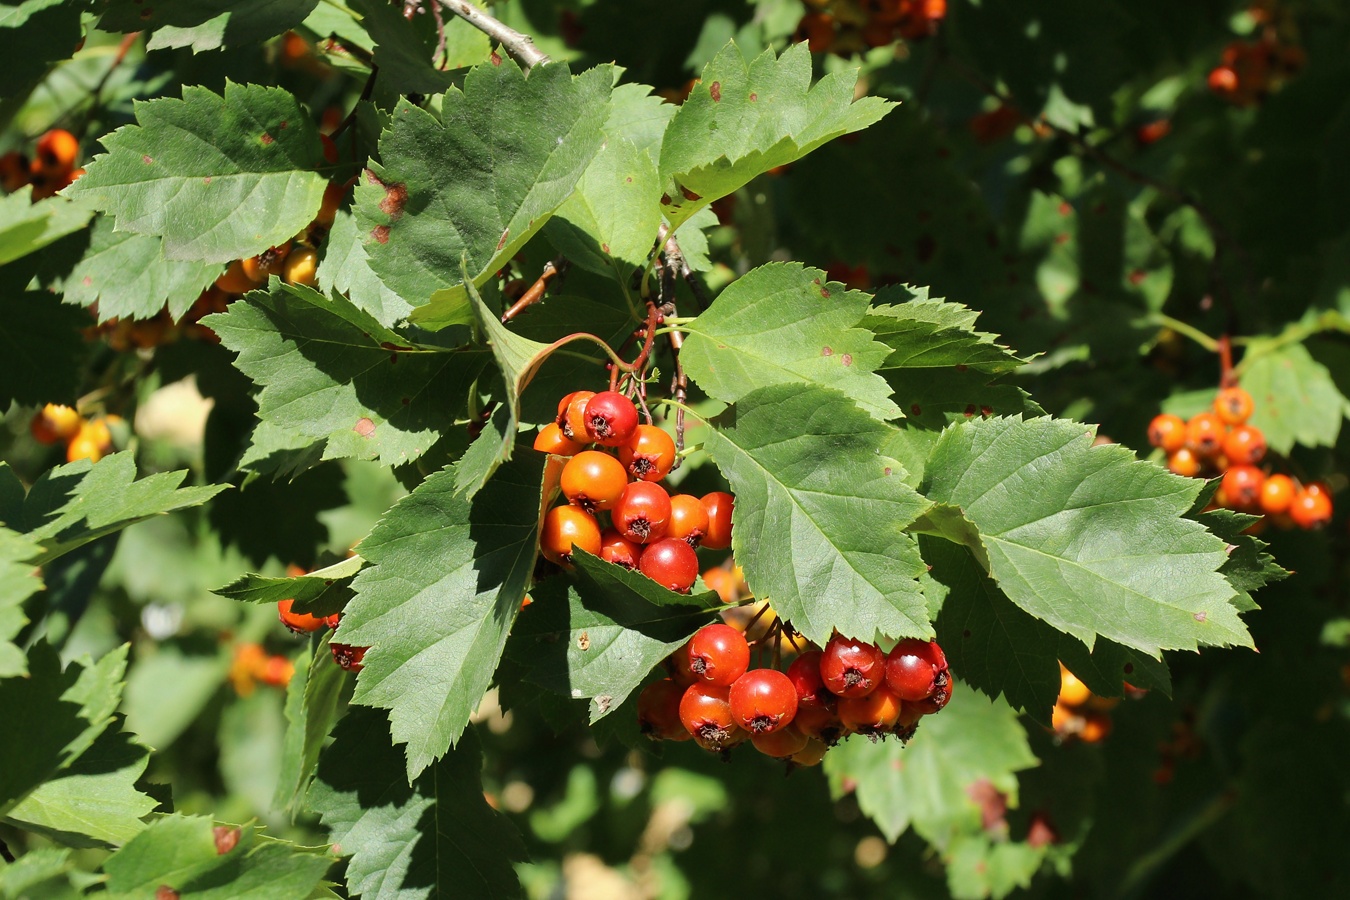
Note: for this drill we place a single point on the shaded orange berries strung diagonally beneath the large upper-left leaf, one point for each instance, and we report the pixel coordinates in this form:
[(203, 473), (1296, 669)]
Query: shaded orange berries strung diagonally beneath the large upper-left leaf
[(296, 262)]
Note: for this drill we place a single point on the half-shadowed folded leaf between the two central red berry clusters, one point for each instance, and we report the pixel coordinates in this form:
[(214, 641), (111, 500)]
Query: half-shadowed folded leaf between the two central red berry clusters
[(601, 640)]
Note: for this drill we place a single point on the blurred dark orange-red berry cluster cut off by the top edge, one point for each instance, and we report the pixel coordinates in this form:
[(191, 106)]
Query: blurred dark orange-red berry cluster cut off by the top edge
[(846, 28)]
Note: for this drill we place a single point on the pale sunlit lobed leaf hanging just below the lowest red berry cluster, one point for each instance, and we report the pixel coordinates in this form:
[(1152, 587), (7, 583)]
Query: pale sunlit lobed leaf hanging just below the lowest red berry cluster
[(925, 783)]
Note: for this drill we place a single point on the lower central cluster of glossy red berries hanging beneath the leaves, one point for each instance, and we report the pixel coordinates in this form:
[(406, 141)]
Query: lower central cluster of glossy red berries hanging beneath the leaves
[(716, 700)]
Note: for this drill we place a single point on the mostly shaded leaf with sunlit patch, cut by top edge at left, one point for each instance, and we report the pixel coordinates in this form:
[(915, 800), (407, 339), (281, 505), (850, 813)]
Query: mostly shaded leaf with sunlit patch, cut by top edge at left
[(207, 25)]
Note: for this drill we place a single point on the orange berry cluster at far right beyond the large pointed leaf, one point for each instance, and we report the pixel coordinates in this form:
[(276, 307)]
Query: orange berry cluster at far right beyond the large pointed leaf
[(1221, 443)]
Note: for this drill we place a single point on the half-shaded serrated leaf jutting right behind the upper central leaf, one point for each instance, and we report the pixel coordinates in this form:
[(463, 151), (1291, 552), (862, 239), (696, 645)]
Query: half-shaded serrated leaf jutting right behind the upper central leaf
[(935, 334)]
